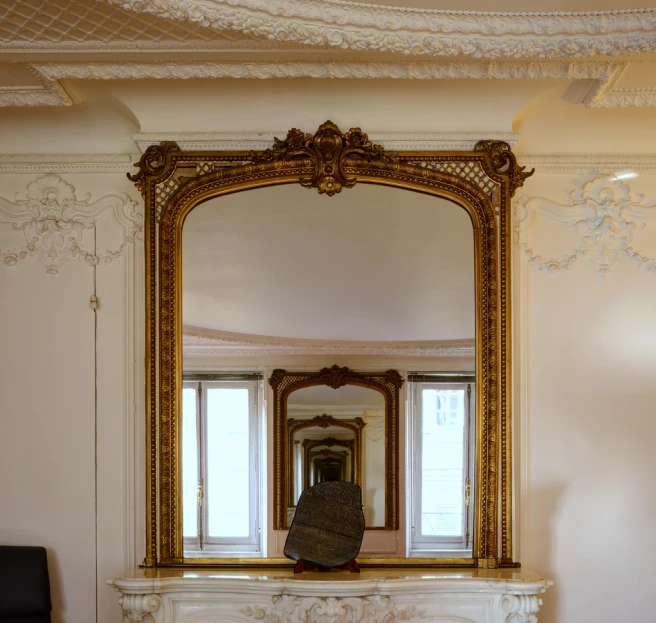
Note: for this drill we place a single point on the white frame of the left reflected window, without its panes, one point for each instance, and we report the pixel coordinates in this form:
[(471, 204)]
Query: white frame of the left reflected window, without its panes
[(252, 545)]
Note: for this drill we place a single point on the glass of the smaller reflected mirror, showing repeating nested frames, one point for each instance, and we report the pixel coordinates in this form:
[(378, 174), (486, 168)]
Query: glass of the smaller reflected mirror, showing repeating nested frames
[(338, 434)]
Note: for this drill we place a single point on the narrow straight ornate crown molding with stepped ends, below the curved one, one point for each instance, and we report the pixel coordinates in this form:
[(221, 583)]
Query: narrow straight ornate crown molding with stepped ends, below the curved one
[(601, 94)]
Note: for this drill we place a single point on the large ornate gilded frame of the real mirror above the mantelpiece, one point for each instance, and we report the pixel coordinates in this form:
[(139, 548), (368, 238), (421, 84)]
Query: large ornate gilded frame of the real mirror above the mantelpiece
[(173, 181)]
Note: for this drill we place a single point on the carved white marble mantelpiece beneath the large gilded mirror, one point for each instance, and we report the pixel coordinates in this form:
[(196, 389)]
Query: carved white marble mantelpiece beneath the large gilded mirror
[(374, 596)]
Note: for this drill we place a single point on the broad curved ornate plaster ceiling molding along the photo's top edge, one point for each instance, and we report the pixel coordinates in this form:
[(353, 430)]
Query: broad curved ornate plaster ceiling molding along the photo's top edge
[(366, 27)]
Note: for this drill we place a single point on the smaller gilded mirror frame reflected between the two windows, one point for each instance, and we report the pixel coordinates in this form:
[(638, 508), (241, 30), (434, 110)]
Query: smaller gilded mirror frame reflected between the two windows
[(284, 383)]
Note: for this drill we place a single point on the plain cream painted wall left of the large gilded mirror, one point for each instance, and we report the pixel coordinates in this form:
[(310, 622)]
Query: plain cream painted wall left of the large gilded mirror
[(69, 449)]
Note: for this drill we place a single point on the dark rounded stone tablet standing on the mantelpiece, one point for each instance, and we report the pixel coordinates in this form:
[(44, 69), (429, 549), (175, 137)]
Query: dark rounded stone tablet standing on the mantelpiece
[(328, 526)]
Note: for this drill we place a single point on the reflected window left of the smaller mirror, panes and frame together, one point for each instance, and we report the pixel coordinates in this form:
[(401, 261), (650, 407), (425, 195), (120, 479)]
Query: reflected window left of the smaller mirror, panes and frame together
[(221, 470)]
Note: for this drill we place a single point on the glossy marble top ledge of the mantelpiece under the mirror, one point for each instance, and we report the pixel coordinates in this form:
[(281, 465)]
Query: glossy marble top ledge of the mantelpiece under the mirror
[(270, 582)]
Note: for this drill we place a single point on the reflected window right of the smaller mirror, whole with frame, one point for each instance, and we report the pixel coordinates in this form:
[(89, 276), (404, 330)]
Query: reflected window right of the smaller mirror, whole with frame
[(442, 440)]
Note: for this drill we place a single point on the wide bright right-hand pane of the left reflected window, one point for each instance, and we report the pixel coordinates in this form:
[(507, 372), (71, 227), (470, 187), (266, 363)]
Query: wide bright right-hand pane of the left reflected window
[(228, 475)]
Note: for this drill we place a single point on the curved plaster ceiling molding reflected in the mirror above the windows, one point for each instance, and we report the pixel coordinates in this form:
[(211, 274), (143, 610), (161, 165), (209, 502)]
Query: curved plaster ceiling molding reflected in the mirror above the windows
[(200, 341)]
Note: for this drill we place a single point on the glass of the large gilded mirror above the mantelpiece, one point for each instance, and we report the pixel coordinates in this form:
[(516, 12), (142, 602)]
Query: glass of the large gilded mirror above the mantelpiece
[(374, 278)]
